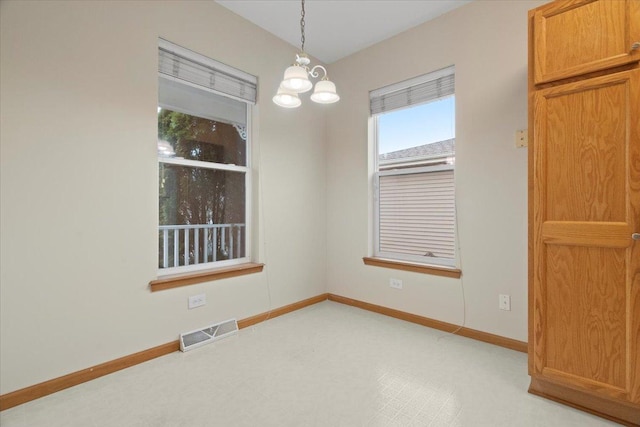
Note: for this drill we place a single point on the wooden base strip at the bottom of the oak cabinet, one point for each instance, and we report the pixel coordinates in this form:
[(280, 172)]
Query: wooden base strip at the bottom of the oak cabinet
[(623, 413)]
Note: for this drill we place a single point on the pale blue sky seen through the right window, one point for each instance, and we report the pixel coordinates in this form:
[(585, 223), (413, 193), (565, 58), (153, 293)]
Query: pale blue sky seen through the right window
[(418, 125)]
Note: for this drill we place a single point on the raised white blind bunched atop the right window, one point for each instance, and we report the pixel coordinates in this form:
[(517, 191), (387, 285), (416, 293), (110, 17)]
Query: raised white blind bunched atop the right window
[(419, 90)]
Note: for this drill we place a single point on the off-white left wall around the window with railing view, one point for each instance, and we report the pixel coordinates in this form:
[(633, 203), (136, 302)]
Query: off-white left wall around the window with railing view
[(79, 183)]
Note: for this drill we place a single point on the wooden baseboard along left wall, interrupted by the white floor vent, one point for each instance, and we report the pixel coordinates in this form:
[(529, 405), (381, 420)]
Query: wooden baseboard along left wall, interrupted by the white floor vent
[(18, 397)]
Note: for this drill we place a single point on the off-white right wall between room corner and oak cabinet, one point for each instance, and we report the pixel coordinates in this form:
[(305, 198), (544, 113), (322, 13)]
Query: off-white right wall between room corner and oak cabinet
[(487, 42)]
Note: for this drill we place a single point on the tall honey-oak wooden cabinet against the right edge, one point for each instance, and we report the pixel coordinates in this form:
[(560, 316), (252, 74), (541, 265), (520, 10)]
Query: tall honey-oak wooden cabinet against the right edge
[(584, 206)]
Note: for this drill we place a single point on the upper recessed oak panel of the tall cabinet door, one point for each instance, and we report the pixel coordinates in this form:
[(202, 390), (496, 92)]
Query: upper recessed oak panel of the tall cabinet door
[(585, 146)]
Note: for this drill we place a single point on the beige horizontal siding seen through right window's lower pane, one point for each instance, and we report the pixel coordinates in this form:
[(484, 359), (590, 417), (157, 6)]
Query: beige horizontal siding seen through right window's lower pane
[(417, 215)]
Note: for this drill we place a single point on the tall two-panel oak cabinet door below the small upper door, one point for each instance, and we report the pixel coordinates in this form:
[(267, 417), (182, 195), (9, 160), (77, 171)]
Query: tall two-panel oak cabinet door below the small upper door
[(586, 206)]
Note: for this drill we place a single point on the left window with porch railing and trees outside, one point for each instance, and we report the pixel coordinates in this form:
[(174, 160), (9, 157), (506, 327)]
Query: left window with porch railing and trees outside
[(203, 154)]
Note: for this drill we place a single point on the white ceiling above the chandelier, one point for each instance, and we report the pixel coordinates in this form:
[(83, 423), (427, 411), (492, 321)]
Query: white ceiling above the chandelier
[(335, 29)]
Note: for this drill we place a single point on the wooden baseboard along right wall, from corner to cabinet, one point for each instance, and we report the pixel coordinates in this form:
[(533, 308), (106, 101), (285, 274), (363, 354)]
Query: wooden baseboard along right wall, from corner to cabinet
[(435, 324)]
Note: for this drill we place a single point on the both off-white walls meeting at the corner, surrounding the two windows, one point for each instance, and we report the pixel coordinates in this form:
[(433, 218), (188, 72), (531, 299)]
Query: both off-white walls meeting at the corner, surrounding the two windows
[(78, 177)]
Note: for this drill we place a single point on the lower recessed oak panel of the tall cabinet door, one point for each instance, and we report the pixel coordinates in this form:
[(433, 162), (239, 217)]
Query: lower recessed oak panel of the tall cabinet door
[(586, 314)]
